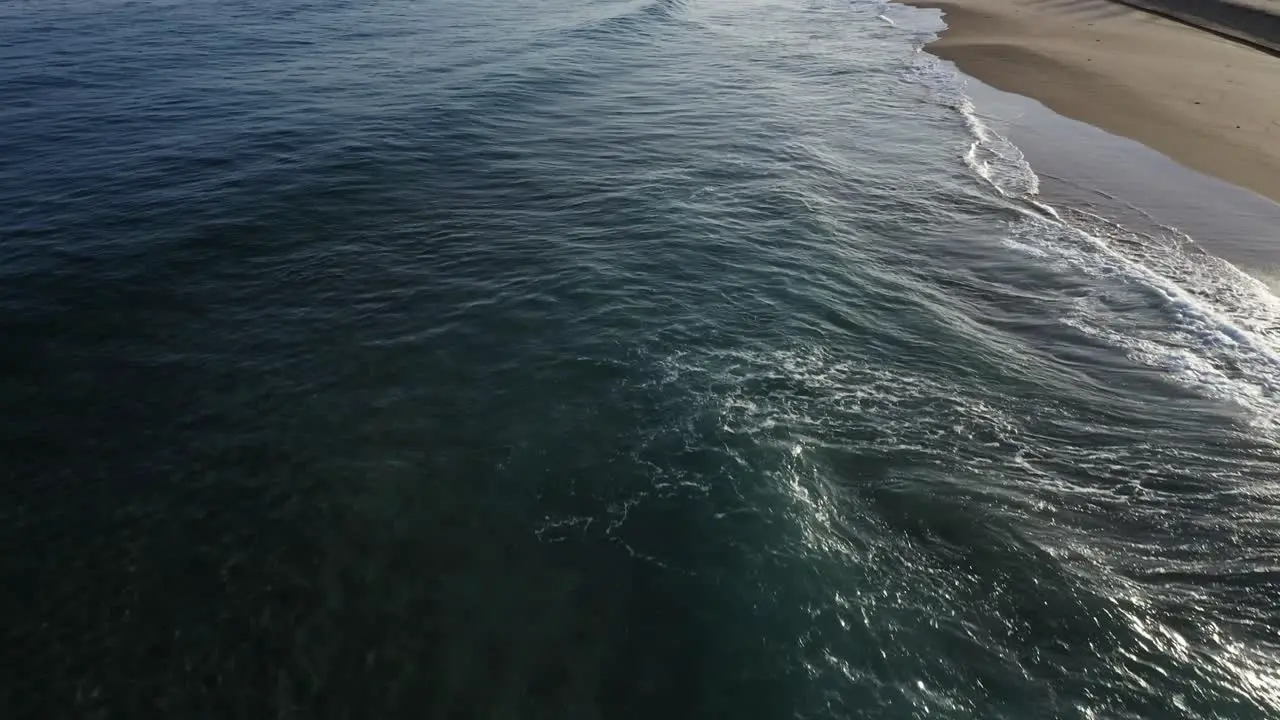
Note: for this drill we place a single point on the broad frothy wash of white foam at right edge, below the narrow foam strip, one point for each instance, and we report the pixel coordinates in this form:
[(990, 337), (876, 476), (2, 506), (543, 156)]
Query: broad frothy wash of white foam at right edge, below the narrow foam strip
[(1208, 325)]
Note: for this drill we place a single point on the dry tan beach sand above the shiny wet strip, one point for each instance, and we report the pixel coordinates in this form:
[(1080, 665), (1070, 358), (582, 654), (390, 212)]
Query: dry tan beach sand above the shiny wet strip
[(1209, 103)]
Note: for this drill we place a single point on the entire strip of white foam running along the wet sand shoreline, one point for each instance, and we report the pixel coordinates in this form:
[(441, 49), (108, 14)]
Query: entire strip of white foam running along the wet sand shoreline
[(1208, 325)]
